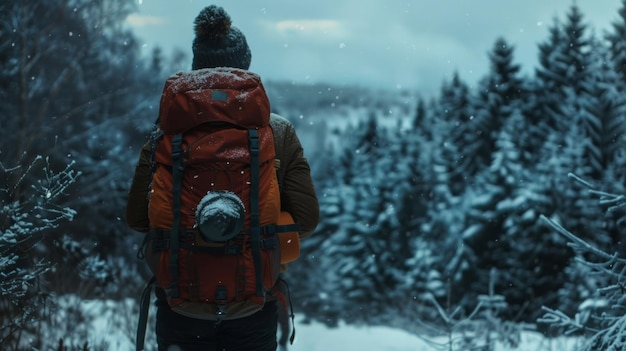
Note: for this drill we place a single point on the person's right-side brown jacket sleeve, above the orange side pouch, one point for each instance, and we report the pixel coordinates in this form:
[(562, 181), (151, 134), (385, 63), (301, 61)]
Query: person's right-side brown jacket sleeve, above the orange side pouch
[(298, 195)]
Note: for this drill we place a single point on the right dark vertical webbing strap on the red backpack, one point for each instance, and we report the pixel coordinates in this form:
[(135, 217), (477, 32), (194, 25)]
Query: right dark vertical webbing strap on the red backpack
[(255, 217)]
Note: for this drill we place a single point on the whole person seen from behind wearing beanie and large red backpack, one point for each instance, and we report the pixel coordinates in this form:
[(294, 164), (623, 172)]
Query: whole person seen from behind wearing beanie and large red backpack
[(210, 189)]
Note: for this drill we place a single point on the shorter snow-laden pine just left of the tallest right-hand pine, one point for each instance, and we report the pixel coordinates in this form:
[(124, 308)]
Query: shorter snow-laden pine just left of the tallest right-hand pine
[(528, 258)]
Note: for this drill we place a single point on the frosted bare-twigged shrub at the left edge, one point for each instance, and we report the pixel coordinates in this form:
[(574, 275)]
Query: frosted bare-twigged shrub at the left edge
[(28, 211)]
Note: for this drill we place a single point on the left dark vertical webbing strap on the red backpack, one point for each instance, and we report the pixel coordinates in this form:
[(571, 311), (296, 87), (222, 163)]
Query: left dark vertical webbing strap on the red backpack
[(177, 184)]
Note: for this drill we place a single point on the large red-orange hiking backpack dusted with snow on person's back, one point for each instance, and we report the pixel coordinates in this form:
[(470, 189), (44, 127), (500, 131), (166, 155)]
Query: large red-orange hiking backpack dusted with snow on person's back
[(214, 204)]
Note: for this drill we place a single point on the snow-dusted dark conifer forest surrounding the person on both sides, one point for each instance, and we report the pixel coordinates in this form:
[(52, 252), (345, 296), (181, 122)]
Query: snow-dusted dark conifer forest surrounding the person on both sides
[(500, 200)]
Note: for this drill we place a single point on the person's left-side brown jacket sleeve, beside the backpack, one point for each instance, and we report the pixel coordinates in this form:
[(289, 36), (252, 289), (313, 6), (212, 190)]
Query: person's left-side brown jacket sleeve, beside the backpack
[(137, 203)]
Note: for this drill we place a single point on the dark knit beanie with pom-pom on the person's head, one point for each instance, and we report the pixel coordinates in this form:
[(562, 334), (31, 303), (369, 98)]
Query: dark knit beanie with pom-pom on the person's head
[(217, 43)]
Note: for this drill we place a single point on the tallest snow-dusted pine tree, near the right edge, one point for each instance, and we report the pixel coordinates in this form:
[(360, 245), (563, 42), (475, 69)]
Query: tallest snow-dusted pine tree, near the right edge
[(575, 117)]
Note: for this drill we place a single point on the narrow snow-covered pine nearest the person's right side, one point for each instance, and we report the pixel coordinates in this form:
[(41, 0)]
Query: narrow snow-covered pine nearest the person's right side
[(356, 250)]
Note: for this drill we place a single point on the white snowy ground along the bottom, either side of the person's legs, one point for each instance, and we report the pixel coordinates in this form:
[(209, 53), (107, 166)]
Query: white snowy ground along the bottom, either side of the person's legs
[(113, 328)]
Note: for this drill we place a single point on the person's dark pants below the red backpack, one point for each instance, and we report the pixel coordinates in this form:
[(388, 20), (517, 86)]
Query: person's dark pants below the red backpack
[(253, 333)]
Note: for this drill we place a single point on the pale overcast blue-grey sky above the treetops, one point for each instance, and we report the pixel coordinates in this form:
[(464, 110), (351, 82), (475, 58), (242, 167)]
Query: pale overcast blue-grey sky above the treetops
[(387, 44)]
